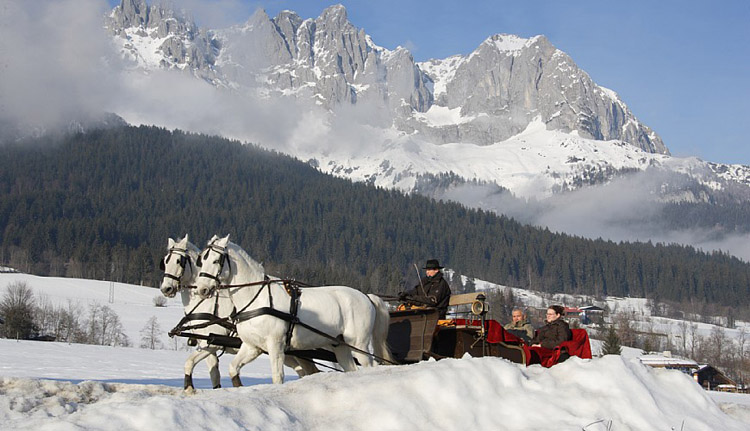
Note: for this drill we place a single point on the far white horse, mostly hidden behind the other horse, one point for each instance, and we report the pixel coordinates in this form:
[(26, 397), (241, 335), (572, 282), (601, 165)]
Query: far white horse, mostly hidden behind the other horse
[(180, 271)]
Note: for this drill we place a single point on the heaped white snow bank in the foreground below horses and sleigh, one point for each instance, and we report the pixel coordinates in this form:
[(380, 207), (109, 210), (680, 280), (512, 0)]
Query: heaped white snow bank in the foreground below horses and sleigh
[(470, 393)]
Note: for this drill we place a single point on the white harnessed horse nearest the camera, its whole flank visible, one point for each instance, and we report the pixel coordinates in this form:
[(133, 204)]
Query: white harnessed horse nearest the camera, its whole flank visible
[(347, 314)]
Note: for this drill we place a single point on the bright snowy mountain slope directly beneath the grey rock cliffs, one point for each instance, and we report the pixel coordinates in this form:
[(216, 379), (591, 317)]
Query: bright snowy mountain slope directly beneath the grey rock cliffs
[(533, 164)]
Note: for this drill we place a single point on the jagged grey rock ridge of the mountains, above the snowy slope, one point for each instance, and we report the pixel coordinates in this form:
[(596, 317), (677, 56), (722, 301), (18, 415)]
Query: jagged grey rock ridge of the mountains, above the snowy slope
[(488, 96)]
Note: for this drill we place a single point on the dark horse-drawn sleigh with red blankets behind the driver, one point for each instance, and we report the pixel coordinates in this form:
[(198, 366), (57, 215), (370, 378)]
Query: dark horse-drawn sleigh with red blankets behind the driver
[(417, 334)]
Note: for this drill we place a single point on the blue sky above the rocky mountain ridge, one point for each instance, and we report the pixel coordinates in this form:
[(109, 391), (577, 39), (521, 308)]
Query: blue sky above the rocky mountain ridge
[(683, 67)]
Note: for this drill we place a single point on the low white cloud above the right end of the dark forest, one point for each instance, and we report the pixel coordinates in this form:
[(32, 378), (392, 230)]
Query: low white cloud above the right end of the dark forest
[(624, 210)]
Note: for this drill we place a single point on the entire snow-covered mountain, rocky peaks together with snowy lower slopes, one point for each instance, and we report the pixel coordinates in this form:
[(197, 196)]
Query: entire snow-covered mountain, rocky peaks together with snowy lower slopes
[(516, 112)]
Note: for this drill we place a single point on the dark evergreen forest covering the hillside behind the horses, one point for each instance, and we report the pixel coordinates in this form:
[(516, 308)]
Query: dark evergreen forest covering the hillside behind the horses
[(102, 204)]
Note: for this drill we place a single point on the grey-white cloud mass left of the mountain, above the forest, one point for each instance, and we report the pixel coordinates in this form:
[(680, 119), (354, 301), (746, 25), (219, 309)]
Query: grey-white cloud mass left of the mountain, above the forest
[(56, 61)]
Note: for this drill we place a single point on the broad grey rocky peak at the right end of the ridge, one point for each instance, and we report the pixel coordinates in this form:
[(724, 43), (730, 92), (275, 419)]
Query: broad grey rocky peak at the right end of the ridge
[(509, 81)]
